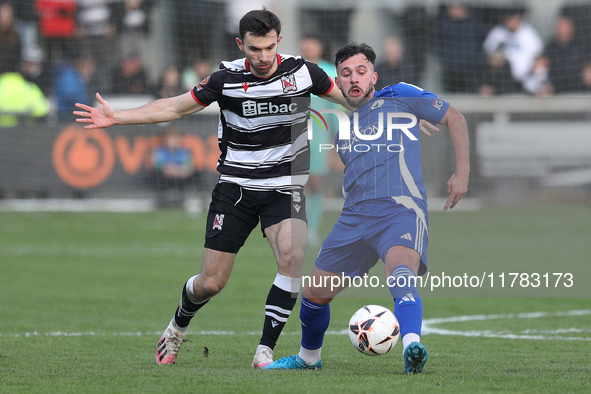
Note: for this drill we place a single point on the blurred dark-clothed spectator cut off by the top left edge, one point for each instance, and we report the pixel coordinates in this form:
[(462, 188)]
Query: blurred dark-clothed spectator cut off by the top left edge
[(10, 44)]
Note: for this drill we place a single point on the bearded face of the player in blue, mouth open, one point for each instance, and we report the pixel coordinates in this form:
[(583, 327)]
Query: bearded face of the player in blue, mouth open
[(356, 79)]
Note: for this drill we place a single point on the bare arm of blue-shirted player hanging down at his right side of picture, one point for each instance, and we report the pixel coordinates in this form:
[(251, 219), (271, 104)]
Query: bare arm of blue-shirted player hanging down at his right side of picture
[(457, 185)]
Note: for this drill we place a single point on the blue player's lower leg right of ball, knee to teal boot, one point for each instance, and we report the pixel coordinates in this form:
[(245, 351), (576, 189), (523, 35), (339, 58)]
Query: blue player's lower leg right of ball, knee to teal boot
[(402, 263)]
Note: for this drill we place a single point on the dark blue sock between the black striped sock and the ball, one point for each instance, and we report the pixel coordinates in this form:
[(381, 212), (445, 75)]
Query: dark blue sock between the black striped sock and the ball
[(314, 319)]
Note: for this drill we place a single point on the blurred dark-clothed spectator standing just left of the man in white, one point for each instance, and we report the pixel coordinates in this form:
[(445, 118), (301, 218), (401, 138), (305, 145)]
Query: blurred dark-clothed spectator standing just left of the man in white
[(458, 42)]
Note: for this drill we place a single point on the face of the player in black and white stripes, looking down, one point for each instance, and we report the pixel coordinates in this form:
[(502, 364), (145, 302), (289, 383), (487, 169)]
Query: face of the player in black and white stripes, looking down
[(261, 52)]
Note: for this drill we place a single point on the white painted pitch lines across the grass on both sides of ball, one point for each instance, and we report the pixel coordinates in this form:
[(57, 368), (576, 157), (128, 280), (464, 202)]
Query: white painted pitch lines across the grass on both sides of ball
[(428, 328)]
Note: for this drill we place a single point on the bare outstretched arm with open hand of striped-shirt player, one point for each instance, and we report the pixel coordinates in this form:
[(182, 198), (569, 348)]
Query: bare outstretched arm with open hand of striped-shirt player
[(163, 110)]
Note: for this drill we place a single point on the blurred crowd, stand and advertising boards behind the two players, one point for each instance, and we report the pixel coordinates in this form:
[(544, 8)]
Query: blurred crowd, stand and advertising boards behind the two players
[(520, 71)]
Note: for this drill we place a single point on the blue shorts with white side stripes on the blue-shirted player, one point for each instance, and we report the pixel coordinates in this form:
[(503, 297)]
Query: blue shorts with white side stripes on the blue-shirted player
[(367, 230)]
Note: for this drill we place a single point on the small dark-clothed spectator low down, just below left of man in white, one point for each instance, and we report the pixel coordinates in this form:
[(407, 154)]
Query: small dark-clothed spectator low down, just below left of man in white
[(497, 78)]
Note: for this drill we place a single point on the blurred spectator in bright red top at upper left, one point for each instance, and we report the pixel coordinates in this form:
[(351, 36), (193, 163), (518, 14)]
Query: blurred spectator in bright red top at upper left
[(57, 24)]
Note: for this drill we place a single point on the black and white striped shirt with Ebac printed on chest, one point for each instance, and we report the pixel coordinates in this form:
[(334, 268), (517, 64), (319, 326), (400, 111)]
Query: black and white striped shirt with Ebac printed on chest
[(262, 131)]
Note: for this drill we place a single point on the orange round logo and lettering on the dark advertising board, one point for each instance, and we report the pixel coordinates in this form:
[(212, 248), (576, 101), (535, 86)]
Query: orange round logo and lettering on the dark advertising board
[(86, 158)]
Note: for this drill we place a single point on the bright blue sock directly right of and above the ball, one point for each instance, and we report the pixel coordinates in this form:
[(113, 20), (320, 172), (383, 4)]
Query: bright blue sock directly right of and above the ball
[(408, 307)]
